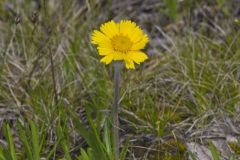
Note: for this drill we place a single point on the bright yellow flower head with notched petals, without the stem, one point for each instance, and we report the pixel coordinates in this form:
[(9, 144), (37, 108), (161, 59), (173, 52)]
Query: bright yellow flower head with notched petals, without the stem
[(120, 41)]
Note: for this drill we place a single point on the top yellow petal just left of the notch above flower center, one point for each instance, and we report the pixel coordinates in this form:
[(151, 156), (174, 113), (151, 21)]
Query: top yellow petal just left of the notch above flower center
[(110, 29)]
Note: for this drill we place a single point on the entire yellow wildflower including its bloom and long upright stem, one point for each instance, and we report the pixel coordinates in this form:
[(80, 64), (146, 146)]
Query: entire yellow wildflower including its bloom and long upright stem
[(119, 42)]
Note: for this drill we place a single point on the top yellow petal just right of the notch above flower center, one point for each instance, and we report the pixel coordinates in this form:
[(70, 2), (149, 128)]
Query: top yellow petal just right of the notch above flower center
[(126, 27)]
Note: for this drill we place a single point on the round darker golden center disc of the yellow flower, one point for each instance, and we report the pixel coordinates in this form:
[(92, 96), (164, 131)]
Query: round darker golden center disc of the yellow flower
[(121, 43)]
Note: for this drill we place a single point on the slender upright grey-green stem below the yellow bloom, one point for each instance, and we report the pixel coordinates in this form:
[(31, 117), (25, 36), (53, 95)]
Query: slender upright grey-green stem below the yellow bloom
[(115, 109)]
